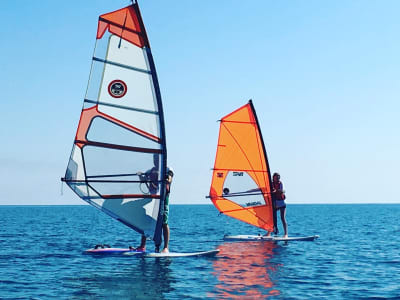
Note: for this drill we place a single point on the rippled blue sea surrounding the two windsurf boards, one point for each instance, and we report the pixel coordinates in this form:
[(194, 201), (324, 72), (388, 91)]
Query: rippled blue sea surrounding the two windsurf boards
[(356, 257)]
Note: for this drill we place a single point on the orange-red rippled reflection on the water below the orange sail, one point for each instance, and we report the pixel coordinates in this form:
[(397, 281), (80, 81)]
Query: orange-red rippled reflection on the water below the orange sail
[(244, 269)]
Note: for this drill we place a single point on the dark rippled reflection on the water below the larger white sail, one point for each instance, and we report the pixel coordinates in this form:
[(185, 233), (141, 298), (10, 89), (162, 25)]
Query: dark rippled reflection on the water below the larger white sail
[(129, 278)]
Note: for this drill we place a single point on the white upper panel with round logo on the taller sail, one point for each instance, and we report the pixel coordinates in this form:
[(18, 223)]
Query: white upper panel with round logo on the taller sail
[(126, 91)]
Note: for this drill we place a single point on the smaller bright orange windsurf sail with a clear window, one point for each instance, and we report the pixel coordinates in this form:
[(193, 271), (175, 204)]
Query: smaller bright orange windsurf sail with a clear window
[(241, 180)]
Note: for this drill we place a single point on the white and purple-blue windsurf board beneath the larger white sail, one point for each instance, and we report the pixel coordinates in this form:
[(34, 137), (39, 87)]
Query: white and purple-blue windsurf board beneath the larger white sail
[(130, 252)]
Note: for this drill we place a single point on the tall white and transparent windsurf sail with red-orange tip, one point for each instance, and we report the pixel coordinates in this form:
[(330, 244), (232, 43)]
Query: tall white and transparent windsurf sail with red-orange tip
[(118, 159)]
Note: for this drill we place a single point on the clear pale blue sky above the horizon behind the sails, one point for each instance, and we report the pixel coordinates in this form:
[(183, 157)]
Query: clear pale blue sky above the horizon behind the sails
[(324, 77)]
